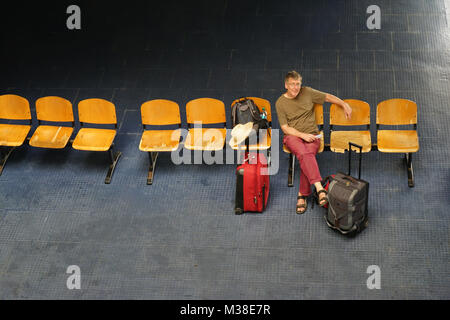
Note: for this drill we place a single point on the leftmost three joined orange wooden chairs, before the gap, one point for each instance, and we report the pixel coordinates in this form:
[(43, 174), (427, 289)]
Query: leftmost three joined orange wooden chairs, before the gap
[(48, 135)]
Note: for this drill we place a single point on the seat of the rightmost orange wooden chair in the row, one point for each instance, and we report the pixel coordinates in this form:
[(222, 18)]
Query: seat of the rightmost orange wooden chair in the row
[(398, 141)]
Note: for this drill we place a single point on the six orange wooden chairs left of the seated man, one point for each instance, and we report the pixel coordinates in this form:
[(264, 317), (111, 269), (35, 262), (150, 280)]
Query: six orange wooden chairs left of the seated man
[(49, 110)]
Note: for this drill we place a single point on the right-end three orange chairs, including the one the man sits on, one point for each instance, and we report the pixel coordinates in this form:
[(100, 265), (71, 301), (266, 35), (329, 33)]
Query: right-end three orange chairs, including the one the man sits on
[(392, 112)]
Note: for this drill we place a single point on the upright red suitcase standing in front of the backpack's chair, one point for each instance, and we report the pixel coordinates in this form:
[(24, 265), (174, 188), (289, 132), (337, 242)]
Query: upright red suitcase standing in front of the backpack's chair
[(253, 184)]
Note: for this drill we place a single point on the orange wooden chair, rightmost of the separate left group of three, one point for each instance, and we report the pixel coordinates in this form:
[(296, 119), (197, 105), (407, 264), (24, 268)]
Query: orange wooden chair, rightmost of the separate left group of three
[(99, 112)]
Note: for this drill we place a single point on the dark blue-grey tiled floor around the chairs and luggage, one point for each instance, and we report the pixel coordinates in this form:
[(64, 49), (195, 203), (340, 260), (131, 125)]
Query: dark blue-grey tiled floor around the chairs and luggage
[(179, 239)]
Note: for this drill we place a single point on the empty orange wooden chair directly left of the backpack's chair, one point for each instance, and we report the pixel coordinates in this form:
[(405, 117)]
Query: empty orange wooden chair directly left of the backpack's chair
[(205, 111)]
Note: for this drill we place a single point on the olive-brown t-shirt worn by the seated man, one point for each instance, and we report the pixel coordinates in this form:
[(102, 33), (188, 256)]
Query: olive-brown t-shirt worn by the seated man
[(298, 112)]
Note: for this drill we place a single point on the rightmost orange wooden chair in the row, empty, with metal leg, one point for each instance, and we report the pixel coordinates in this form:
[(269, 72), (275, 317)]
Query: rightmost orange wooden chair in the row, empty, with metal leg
[(398, 112)]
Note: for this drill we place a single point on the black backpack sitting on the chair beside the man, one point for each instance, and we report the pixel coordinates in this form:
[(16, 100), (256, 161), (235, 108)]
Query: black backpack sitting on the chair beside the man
[(244, 111)]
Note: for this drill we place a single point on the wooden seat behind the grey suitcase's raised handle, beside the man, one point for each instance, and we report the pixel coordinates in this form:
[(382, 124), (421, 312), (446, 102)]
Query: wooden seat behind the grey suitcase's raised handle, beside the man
[(339, 140)]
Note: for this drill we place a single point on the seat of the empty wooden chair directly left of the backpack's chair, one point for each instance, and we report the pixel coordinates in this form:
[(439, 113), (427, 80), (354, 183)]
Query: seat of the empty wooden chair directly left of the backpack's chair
[(209, 139)]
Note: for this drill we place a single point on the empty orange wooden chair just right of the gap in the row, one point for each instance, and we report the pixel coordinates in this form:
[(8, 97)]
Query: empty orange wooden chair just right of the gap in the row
[(159, 113)]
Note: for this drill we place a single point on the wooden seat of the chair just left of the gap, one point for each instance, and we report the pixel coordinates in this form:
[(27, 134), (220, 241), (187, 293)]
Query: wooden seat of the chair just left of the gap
[(92, 139)]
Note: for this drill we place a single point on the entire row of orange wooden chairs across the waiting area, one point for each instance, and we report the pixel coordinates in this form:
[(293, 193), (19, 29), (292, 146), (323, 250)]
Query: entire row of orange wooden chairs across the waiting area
[(206, 111)]
